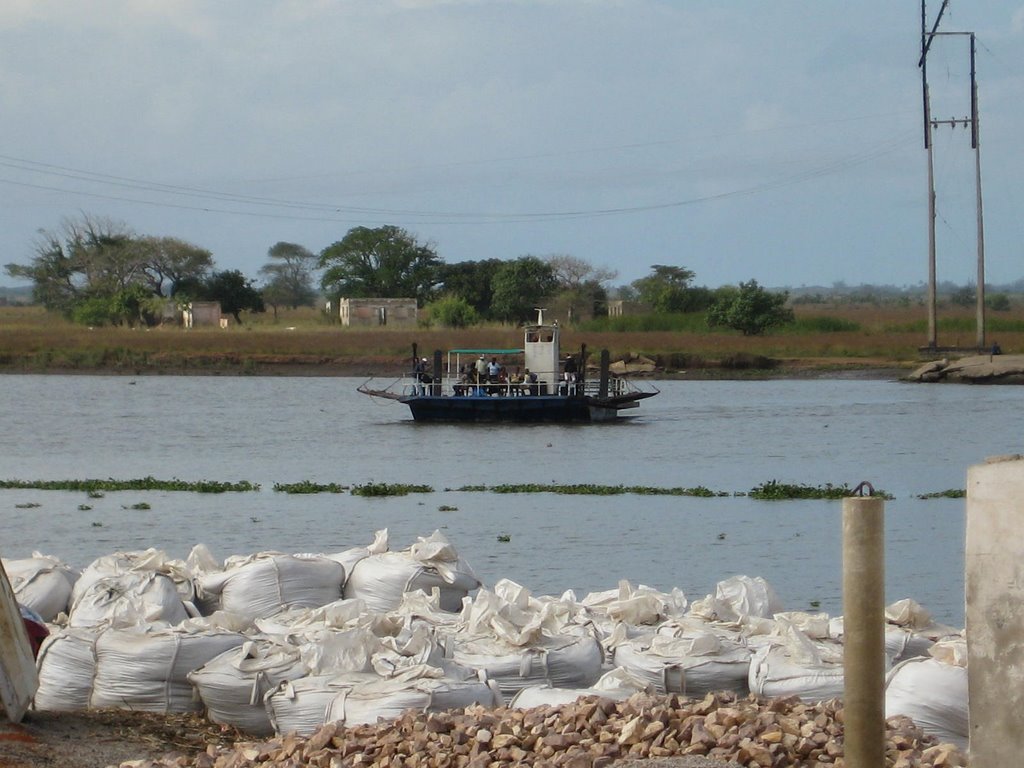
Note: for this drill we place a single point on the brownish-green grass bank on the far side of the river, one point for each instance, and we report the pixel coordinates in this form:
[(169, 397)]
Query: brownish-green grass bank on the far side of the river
[(825, 340)]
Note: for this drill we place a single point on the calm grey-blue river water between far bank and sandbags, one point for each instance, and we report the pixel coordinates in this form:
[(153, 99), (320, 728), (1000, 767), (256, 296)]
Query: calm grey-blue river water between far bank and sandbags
[(729, 437)]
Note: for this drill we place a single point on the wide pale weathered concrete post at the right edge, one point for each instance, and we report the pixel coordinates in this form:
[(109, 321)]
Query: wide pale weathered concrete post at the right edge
[(995, 594)]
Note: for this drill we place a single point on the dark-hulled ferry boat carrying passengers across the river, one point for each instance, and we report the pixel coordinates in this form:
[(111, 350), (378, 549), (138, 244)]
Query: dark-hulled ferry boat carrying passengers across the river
[(529, 386)]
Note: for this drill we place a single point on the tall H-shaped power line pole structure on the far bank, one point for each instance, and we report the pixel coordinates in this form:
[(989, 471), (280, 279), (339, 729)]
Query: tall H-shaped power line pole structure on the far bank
[(930, 124)]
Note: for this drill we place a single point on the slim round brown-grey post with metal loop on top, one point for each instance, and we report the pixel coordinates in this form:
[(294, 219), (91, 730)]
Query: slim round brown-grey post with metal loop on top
[(864, 630)]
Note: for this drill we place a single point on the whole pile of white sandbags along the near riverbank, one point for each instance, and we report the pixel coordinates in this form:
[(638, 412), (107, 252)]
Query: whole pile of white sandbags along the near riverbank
[(286, 643)]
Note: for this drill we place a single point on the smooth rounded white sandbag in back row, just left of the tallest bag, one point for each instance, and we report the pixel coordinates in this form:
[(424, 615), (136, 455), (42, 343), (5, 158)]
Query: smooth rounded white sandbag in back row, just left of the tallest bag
[(265, 584)]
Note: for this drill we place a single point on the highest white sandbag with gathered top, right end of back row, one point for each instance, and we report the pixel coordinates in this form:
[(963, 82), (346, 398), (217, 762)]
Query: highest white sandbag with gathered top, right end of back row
[(381, 580)]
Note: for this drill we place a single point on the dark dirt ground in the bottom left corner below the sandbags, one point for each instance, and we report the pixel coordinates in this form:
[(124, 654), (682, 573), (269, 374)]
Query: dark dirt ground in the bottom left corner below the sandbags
[(101, 739)]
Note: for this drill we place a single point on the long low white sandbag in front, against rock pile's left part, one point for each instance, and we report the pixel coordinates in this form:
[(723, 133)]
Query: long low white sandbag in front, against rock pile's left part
[(303, 706)]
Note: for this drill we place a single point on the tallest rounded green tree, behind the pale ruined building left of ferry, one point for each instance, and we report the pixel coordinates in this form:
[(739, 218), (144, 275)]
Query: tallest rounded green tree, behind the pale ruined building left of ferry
[(382, 263)]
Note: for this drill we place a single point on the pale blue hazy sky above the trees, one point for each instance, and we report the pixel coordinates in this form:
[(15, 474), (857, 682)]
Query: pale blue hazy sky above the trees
[(781, 142)]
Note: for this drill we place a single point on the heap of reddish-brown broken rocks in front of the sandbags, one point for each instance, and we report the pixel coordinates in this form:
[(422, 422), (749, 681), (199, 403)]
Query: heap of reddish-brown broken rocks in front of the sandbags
[(645, 732)]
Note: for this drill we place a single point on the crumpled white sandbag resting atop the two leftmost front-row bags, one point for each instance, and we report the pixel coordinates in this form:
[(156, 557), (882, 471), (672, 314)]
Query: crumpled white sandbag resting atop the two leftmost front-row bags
[(133, 598)]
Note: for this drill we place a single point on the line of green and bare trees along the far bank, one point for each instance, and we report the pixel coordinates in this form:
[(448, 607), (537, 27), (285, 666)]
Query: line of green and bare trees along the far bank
[(97, 272)]
